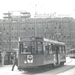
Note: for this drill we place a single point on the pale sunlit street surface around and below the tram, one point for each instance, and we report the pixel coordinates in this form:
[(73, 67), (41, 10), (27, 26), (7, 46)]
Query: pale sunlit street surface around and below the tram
[(67, 69)]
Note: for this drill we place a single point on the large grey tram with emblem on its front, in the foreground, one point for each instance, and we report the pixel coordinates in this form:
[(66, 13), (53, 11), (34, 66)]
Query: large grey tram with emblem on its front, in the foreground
[(37, 51)]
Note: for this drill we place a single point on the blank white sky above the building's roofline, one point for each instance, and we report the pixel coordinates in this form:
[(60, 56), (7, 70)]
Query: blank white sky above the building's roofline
[(40, 6)]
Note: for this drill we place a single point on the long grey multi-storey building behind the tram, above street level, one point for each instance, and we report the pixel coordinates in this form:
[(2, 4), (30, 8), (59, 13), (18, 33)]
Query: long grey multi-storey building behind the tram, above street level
[(13, 27)]
